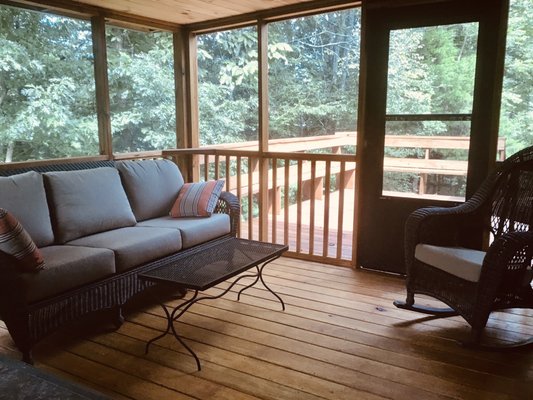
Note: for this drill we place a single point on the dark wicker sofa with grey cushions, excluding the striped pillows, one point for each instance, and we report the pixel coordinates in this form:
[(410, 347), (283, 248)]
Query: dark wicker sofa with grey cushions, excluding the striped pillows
[(97, 226)]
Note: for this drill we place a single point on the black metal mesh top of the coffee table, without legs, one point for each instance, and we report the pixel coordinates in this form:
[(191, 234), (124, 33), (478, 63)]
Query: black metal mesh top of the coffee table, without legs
[(225, 259)]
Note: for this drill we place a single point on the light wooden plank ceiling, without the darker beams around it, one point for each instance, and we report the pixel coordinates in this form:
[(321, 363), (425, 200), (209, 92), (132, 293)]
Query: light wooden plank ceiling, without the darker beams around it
[(186, 12)]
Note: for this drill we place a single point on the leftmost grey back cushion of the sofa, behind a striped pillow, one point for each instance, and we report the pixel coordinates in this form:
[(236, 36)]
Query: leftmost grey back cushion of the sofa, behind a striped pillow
[(23, 195)]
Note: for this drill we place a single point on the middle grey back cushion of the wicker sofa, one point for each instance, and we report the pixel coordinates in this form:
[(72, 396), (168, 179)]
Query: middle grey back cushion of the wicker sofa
[(87, 201)]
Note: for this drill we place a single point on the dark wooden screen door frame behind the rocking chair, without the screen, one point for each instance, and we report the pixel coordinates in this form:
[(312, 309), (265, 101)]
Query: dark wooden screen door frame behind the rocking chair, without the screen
[(378, 19)]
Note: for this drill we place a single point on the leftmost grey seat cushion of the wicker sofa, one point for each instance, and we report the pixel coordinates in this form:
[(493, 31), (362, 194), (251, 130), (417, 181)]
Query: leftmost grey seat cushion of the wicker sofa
[(68, 267)]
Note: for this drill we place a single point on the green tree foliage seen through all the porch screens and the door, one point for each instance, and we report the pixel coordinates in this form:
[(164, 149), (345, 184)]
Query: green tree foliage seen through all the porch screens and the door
[(47, 89)]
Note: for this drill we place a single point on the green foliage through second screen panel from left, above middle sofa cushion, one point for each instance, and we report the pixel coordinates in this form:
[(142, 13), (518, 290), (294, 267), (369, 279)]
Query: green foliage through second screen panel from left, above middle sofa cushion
[(141, 89)]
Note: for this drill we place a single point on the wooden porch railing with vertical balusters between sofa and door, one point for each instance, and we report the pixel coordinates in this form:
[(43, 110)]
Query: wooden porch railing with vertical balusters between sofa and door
[(303, 200)]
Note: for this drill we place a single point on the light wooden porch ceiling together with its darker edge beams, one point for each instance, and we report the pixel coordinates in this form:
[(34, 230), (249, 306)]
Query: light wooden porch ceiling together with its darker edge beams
[(195, 15)]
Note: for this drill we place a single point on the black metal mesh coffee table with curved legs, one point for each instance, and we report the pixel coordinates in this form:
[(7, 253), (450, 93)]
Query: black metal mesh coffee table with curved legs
[(200, 270)]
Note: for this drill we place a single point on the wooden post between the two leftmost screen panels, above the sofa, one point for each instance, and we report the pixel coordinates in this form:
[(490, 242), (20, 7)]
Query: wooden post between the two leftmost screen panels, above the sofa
[(102, 85)]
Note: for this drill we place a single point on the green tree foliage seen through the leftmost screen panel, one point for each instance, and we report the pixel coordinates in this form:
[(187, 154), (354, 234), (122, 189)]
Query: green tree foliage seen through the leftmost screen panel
[(47, 103)]
